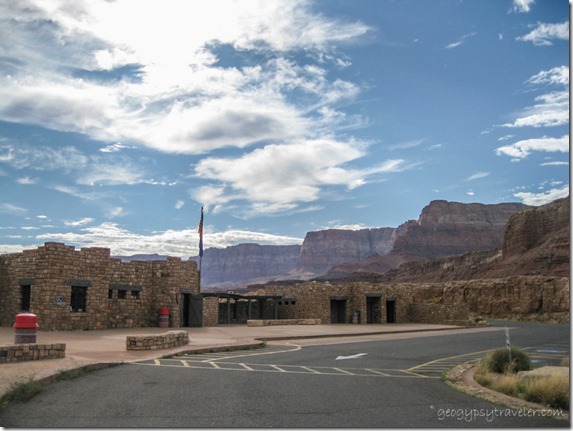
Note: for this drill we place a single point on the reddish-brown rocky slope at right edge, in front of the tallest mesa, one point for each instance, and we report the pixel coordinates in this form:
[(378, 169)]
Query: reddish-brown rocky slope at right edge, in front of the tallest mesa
[(535, 242)]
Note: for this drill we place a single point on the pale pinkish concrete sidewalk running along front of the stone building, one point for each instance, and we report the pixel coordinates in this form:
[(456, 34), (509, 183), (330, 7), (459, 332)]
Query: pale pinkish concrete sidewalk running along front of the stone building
[(91, 348)]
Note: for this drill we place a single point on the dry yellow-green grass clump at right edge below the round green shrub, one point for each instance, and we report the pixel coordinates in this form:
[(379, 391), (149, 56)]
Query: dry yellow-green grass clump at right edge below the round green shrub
[(551, 391)]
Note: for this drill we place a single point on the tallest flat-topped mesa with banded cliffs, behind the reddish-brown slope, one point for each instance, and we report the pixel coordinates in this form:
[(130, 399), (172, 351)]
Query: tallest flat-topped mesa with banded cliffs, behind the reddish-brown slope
[(443, 229)]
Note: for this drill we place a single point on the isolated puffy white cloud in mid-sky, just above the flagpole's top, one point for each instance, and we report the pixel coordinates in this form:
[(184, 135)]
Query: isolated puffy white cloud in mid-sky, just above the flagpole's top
[(279, 177)]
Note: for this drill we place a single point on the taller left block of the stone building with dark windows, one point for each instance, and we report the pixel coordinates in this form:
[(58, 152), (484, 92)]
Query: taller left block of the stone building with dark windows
[(87, 289)]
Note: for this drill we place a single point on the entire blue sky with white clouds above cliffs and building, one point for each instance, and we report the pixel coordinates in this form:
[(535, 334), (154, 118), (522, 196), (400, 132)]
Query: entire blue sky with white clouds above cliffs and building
[(120, 119)]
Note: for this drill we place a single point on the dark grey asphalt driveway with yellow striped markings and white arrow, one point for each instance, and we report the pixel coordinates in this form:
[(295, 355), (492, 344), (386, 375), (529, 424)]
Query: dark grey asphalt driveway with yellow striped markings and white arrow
[(379, 382)]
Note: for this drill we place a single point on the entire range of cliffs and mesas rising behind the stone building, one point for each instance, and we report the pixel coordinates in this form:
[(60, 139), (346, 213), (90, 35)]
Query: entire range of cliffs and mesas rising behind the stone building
[(472, 235)]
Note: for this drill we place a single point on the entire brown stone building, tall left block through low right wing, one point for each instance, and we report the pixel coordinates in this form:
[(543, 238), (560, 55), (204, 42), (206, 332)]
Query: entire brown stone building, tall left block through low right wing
[(86, 289)]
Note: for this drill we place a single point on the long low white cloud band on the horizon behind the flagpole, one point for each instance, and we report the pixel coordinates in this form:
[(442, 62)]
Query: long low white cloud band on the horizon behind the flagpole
[(181, 243)]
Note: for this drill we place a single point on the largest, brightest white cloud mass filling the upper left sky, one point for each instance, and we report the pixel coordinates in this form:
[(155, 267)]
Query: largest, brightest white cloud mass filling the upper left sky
[(176, 99)]
